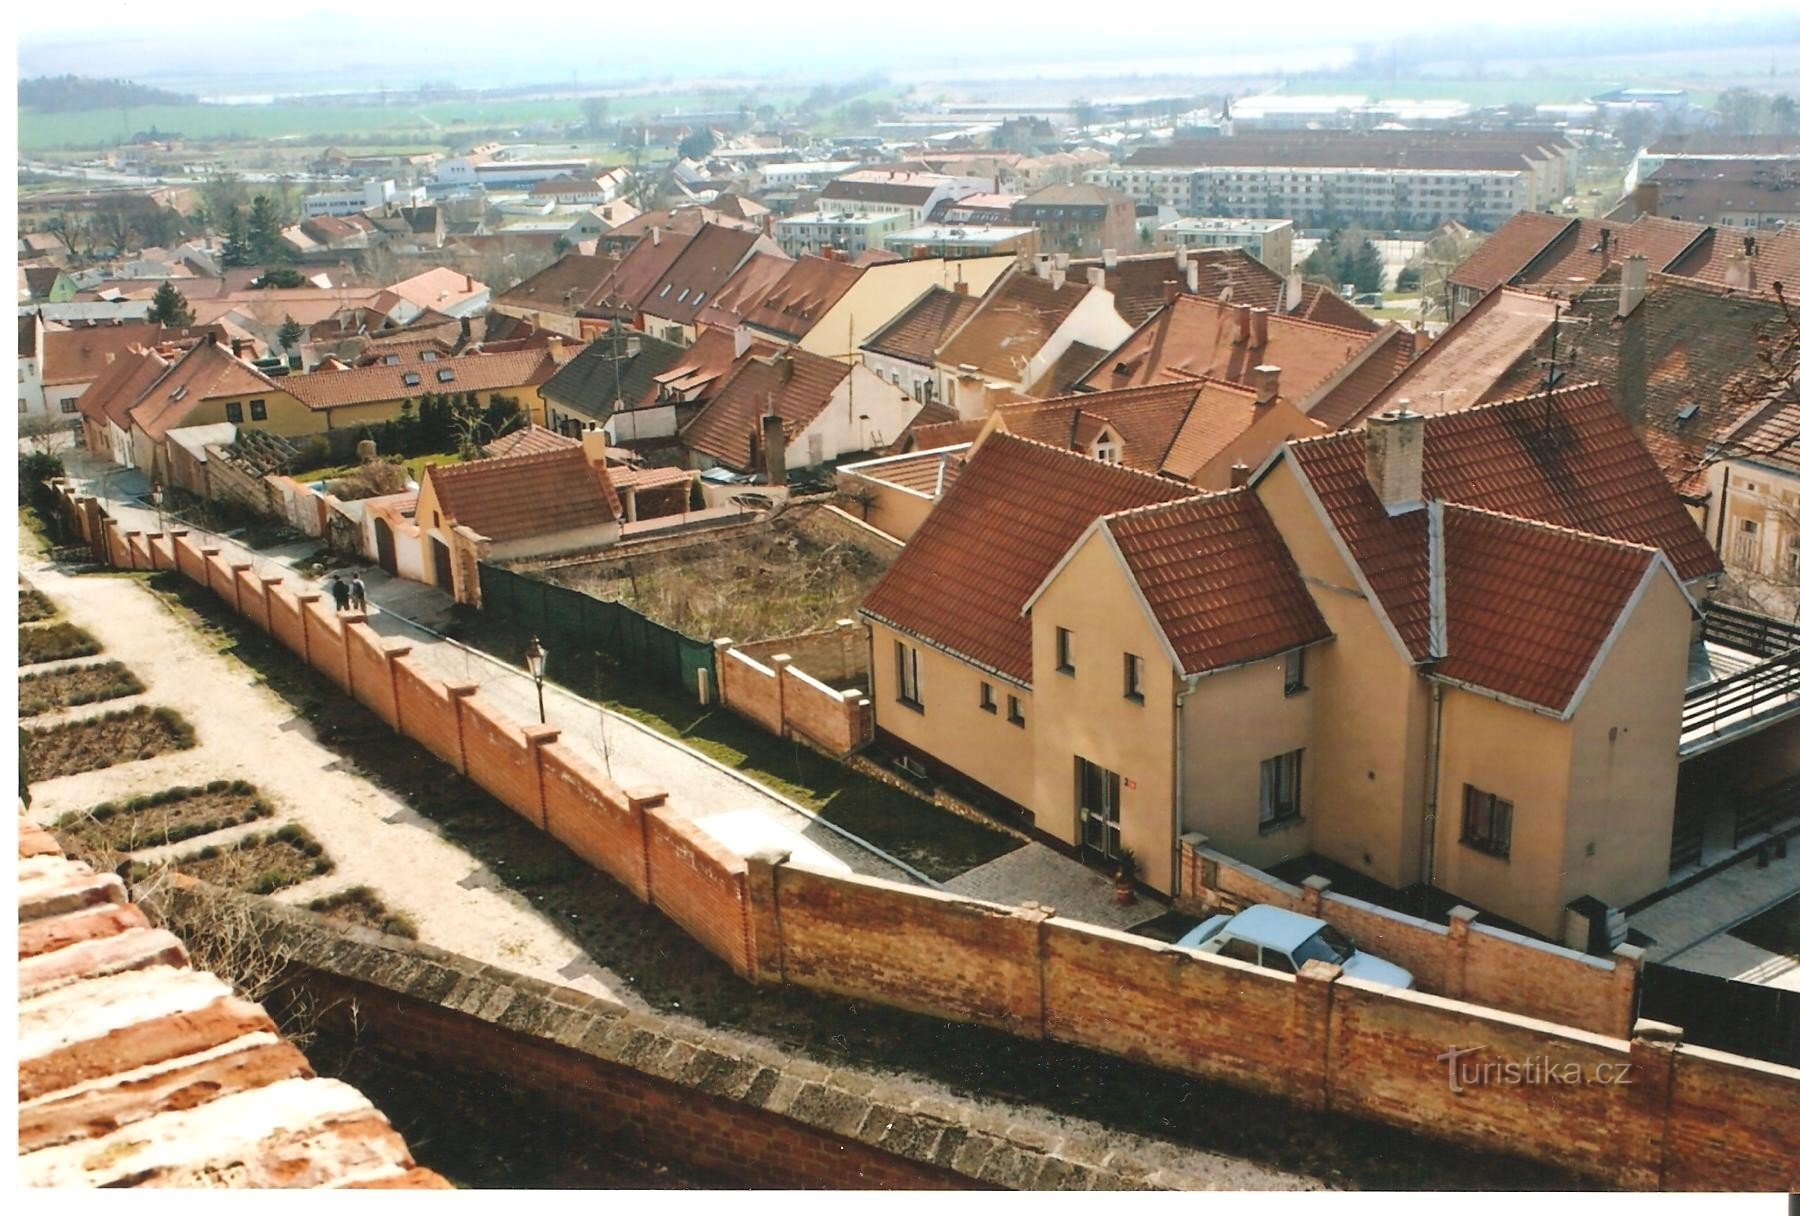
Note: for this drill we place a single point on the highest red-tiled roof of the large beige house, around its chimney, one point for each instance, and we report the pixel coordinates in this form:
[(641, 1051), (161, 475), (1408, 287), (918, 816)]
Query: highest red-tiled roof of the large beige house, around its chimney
[(1563, 458)]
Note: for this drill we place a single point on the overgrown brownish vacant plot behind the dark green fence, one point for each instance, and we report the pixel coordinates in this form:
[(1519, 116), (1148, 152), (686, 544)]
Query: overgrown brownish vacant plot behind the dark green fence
[(807, 571)]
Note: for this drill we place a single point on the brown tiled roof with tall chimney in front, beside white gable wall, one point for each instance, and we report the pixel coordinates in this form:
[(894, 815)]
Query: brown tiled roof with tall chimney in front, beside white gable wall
[(793, 384)]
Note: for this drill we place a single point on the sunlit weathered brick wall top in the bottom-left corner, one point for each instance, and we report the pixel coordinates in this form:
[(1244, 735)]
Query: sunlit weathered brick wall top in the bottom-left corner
[(134, 1069)]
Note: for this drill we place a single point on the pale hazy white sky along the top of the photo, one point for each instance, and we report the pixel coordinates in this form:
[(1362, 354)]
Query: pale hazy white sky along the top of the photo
[(485, 42)]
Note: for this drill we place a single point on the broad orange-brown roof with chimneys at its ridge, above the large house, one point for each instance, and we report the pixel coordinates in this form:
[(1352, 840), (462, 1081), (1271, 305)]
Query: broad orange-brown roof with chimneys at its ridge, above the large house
[(1196, 337)]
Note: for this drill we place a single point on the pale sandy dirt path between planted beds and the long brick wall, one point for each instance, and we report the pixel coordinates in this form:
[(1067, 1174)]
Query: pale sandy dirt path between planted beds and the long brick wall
[(246, 731)]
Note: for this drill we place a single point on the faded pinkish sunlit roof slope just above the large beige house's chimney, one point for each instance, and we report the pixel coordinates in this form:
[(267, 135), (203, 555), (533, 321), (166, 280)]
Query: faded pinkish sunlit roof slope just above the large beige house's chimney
[(1471, 357)]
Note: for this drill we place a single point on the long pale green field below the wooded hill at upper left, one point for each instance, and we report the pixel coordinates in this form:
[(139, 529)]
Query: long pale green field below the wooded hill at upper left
[(433, 123)]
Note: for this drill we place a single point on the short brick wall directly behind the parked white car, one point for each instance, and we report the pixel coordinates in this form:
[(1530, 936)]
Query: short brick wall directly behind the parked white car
[(1462, 960)]
